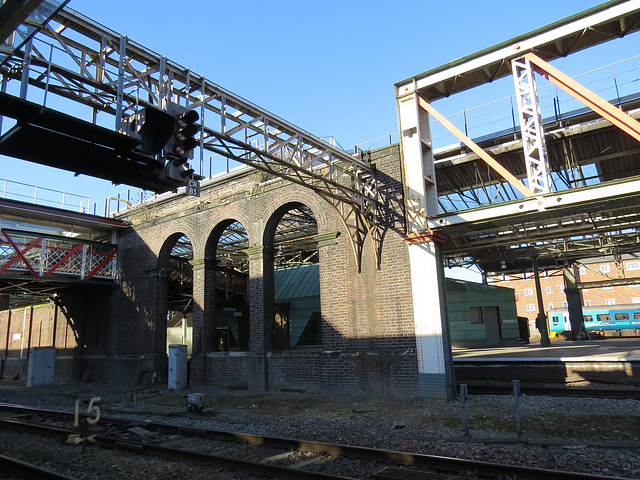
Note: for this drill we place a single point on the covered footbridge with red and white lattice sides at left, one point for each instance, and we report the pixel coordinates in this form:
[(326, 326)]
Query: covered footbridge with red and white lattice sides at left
[(43, 249)]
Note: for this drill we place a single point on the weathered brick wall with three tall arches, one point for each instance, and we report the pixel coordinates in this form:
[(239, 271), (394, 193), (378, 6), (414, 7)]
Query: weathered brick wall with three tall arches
[(368, 335)]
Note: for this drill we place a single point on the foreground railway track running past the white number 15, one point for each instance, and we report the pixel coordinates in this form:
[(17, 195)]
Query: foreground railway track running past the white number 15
[(266, 457)]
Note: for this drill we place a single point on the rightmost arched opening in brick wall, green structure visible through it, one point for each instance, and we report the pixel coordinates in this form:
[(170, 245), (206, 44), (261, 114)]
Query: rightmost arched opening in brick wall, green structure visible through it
[(297, 321)]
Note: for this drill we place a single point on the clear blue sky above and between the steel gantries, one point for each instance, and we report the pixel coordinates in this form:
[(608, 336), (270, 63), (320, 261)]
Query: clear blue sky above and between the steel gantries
[(327, 67)]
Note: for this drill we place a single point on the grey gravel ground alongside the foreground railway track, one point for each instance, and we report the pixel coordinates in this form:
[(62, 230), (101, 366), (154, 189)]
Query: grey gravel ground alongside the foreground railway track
[(596, 436)]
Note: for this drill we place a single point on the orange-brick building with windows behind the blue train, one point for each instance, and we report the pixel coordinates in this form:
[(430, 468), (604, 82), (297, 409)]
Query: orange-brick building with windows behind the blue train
[(596, 271)]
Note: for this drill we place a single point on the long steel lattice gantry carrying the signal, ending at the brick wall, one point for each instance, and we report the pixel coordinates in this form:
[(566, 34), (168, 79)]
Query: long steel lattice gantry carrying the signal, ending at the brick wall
[(114, 78)]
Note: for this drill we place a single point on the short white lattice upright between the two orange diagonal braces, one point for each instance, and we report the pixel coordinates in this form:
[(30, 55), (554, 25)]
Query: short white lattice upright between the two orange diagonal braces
[(533, 143)]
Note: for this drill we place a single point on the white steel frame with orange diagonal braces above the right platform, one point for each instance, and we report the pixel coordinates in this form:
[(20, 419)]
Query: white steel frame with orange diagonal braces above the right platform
[(514, 192)]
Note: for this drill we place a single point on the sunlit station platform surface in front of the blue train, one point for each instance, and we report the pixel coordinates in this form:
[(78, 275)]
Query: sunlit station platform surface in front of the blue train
[(605, 349)]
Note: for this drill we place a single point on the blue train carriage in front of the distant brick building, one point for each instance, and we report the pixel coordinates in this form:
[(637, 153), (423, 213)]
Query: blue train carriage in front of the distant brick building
[(602, 320)]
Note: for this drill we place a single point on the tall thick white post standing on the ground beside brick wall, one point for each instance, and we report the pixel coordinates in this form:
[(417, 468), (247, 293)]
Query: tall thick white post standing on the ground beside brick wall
[(433, 343)]
